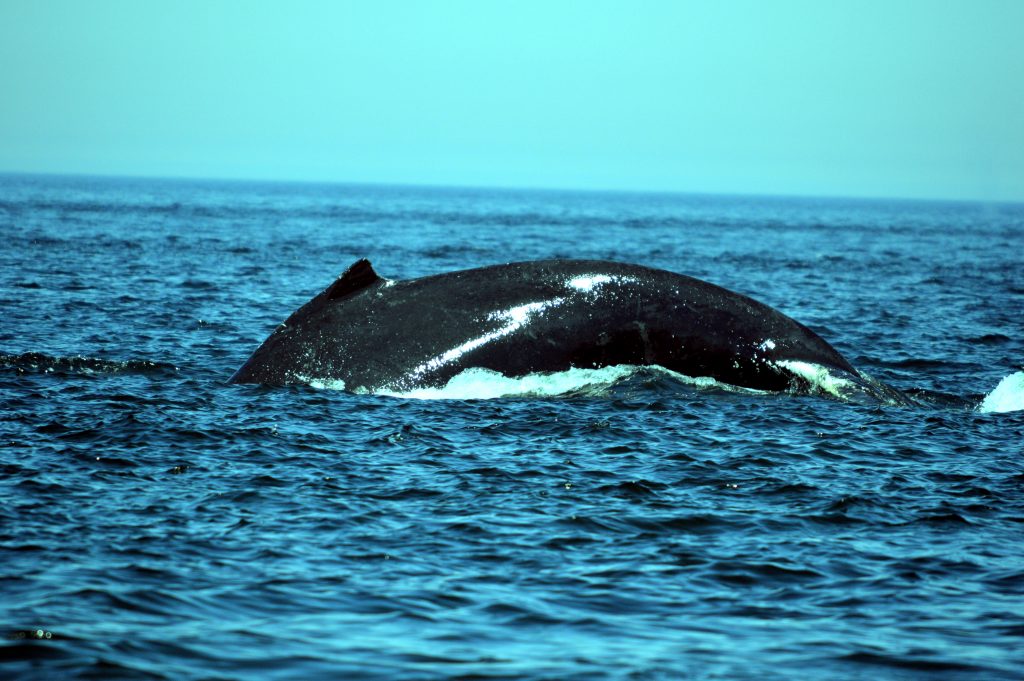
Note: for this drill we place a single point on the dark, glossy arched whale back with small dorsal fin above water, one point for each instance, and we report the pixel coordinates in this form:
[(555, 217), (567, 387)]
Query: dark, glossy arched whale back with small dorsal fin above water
[(372, 334)]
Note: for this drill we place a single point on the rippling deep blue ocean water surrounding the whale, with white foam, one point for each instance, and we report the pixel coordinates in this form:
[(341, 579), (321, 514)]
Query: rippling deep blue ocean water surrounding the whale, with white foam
[(158, 523)]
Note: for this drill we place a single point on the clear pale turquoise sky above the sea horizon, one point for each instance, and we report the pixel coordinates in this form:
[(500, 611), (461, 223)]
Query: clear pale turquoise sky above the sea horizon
[(914, 99)]
